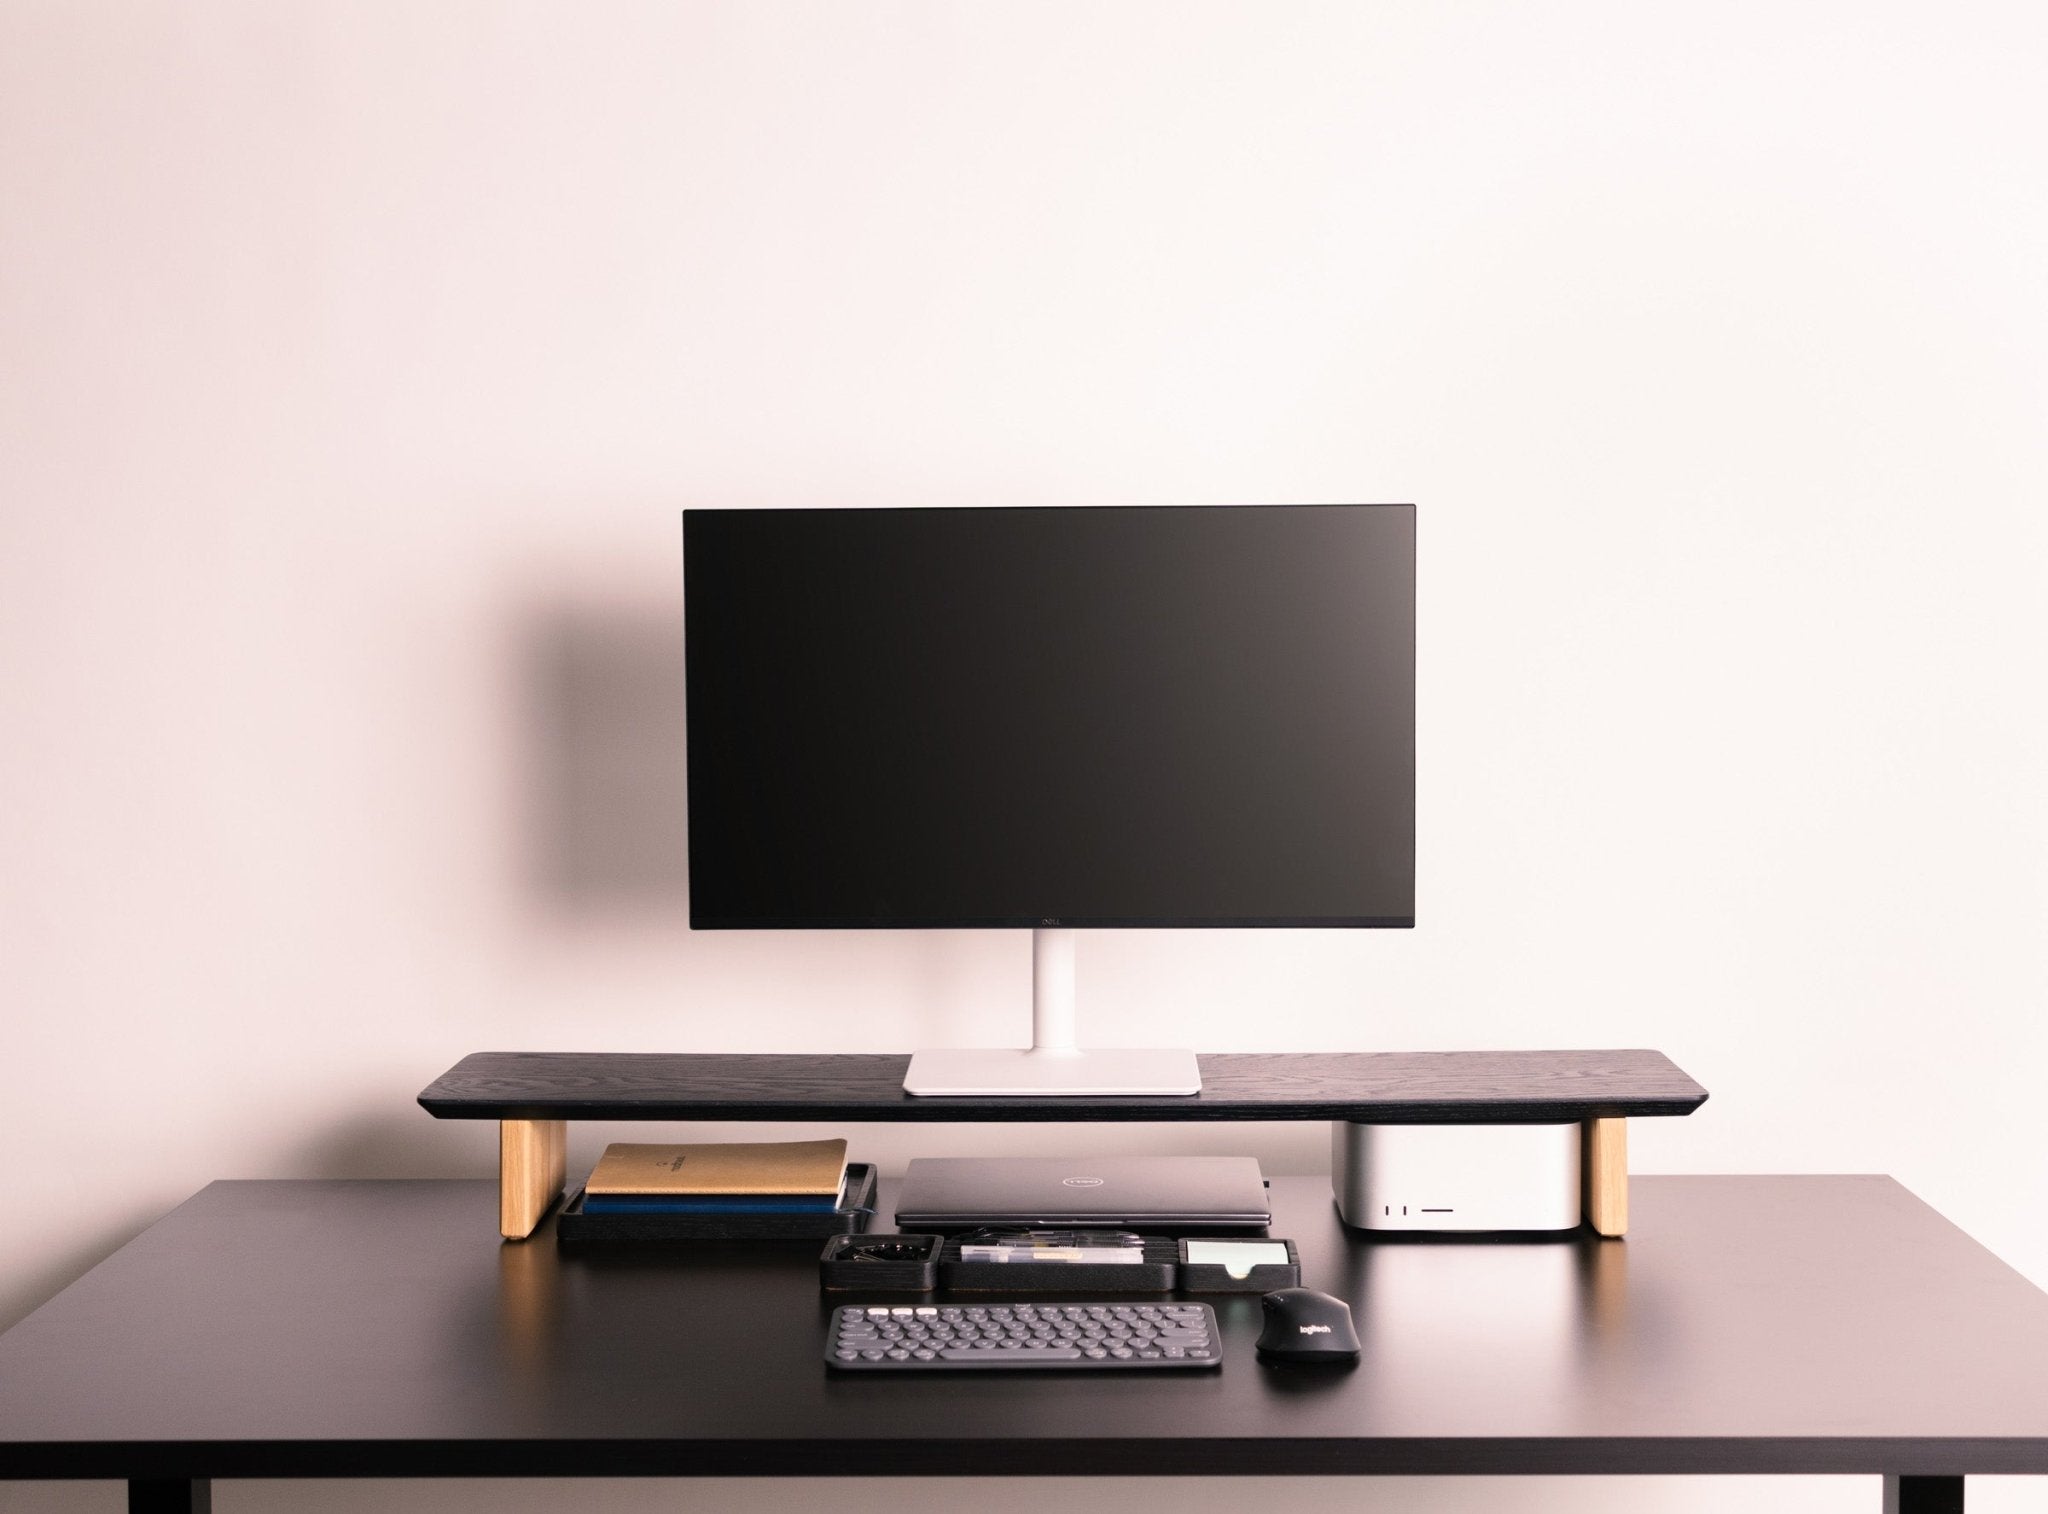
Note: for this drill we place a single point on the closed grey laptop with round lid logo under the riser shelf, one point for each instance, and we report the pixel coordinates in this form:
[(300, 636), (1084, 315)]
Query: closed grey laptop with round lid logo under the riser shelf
[(1183, 1193)]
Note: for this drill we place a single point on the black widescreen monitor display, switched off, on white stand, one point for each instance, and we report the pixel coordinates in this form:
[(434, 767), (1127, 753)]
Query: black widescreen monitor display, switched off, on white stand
[(1052, 716)]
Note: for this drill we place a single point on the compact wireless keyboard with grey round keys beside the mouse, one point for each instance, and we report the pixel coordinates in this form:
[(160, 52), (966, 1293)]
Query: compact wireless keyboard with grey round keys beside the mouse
[(1023, 1335)]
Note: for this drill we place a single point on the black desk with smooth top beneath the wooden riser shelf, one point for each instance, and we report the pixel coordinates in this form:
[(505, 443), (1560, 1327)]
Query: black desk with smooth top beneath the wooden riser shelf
[(372, 1331)]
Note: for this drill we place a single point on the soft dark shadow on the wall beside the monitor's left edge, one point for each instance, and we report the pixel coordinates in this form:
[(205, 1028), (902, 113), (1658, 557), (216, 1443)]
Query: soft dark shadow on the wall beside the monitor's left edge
[(601, 696)]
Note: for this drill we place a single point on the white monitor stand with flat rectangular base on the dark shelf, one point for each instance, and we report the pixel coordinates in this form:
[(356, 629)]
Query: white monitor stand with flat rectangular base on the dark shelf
[(1054, 1066)]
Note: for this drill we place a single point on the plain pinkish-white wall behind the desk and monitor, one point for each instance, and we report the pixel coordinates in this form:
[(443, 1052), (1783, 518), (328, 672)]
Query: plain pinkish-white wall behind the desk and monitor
[(355, 362)]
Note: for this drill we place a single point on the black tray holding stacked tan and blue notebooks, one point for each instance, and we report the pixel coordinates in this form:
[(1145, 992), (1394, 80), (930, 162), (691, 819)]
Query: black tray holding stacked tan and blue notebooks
[(736, 1189)]
